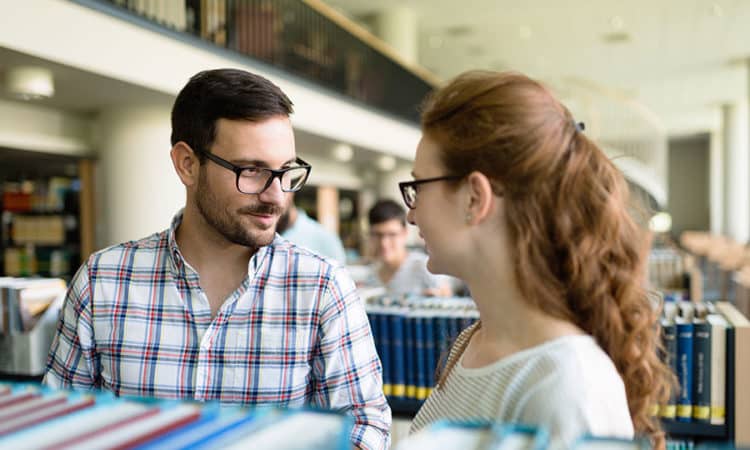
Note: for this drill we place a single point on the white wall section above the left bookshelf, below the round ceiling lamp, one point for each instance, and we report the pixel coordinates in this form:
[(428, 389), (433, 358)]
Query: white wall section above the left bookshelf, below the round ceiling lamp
[(38, 128)]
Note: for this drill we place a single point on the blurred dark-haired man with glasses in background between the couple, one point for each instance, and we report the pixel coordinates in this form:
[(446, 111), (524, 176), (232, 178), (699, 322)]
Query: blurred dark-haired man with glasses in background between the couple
[(401, 271)]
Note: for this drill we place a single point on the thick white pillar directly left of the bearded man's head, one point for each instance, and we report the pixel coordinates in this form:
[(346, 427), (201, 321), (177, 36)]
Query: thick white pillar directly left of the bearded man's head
[(139, 191)]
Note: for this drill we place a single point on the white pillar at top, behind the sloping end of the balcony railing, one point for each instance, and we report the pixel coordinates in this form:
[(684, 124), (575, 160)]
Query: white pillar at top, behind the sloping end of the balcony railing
[(398, 27)]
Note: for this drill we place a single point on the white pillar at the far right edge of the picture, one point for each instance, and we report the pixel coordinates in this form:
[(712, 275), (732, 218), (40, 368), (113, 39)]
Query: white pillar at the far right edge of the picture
[(736, 165)]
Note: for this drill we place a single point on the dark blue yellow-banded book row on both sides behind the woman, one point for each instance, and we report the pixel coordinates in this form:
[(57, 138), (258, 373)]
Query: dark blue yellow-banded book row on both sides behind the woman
[(413, 335)]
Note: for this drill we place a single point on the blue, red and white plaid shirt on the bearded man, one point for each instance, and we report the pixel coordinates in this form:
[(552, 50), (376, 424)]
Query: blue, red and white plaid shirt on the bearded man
[(136, 321)]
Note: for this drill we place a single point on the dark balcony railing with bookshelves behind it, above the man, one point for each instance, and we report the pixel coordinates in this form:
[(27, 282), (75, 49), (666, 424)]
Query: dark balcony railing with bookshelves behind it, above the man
[(303, 38)]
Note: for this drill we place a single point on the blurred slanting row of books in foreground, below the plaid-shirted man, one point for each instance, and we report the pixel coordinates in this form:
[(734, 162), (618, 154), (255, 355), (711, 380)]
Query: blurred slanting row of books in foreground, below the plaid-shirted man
[(36, 417)]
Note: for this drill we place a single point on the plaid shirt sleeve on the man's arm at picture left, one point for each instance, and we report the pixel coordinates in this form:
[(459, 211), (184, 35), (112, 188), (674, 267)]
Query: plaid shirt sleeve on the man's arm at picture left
[(71, 359)]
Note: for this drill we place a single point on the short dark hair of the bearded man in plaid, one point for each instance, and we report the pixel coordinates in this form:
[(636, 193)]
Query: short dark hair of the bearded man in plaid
[(223, 94)]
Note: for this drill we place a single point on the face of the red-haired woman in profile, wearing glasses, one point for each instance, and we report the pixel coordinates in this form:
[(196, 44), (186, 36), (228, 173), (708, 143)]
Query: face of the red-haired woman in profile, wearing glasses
[(437, 213)]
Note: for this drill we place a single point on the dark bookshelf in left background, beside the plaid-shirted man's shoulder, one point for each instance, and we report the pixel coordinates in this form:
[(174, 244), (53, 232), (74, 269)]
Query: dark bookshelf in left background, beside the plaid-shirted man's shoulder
[(46, 213)]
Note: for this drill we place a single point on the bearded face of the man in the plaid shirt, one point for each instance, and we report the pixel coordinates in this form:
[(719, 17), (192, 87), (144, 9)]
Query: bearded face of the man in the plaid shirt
[(245, 219)]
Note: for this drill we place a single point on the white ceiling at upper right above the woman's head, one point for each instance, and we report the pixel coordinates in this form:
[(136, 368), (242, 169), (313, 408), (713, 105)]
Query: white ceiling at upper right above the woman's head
[(682, 58)]
